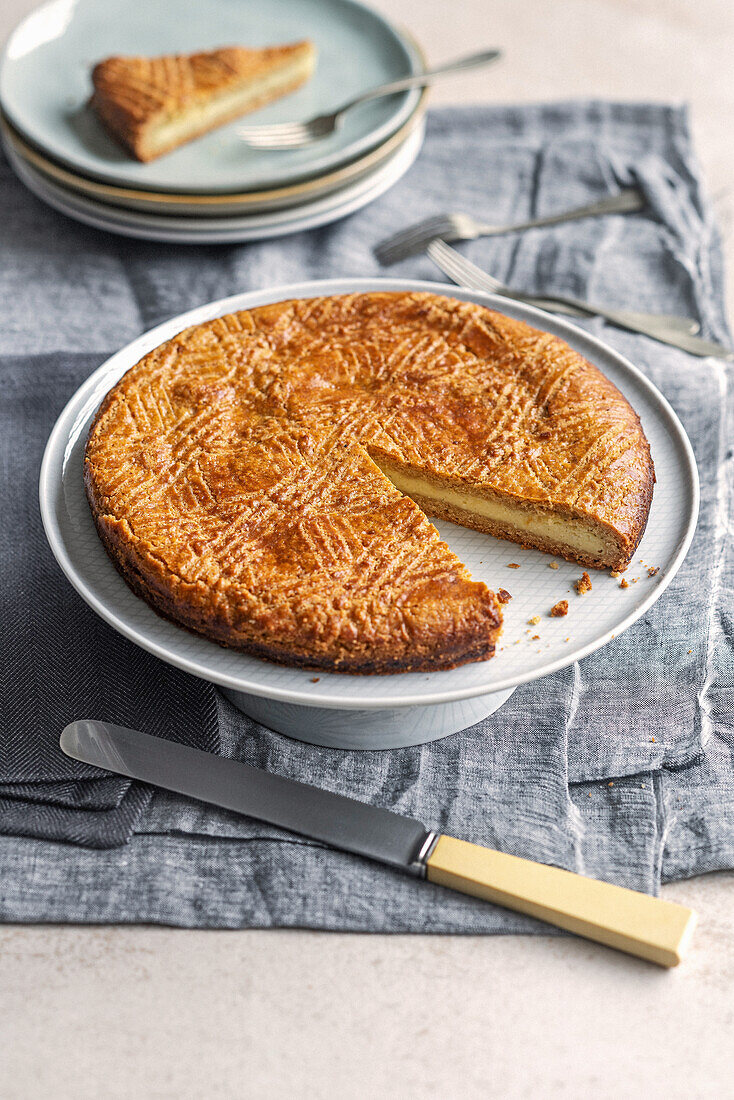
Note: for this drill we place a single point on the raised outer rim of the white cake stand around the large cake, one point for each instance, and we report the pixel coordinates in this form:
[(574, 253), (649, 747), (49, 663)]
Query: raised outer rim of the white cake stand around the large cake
[(130, 354)]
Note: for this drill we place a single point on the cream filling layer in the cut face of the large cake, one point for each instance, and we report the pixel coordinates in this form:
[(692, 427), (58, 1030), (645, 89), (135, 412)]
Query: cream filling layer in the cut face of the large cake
[(568, 533)]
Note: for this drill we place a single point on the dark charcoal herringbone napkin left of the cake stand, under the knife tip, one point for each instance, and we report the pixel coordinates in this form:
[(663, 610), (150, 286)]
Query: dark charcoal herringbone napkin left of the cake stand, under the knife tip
[(58, 659)]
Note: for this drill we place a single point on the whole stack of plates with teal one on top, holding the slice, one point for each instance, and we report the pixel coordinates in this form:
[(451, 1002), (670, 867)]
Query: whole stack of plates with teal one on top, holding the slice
[(215, 190)]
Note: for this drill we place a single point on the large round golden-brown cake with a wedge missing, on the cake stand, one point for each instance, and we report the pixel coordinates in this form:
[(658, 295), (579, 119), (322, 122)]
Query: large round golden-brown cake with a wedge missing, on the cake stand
[(264, 479)]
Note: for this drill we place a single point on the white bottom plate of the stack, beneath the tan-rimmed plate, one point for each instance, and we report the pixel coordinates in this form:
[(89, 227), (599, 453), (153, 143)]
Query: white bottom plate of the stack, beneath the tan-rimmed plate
[(232, 229)]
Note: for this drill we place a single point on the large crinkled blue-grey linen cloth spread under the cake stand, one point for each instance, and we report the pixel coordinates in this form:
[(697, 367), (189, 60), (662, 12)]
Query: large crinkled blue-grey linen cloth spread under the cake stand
[(619, 767)]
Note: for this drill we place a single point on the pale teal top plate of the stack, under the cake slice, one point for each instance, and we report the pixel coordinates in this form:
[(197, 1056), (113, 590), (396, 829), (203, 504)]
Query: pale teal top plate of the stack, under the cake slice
[(46, 85)]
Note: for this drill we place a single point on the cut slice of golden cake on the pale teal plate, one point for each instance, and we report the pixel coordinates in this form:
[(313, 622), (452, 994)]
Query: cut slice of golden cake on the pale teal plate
[(155, 105)]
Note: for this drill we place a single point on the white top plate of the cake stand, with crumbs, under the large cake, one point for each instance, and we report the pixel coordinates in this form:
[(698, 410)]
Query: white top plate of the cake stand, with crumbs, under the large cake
[(591, 622)]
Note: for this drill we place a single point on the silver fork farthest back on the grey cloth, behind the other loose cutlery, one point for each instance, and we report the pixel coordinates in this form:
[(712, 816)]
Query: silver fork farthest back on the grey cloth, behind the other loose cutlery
[(463, 227)]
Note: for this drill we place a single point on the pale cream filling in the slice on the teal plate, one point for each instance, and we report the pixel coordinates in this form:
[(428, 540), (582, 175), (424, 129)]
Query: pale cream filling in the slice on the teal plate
[(209, 115)]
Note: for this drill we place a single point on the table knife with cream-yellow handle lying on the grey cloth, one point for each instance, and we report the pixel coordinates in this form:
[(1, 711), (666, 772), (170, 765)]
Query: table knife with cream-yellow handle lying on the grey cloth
[(654, 930)]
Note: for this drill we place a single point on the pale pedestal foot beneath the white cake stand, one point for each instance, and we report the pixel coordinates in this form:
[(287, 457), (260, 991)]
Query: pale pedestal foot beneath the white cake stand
[(392, 729)]
